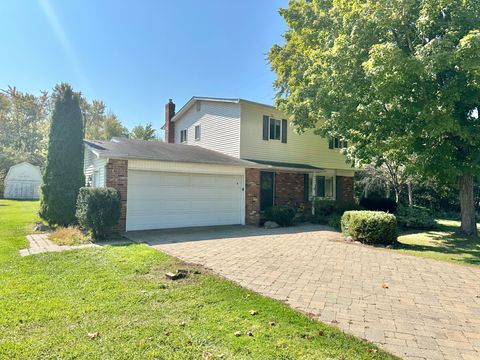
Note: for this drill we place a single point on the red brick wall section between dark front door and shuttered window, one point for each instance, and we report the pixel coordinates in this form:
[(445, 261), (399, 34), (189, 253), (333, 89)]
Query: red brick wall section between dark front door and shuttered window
[(289, 189)]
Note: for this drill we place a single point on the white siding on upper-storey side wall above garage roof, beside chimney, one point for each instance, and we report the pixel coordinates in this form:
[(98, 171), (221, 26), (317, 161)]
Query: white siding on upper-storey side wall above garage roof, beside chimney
[(219, 123)]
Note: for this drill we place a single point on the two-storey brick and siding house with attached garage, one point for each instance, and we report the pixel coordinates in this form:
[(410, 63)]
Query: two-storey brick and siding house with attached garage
[(223, 162)]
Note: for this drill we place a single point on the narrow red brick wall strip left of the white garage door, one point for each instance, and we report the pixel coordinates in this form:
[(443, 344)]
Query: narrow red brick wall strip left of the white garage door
[(117, 177)]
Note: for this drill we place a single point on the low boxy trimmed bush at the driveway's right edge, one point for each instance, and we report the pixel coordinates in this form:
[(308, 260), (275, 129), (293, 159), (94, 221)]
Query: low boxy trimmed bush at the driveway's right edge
[(370, 227)]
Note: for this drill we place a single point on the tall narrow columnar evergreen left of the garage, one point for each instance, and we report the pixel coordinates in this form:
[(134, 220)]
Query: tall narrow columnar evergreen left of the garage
[(63, 175)]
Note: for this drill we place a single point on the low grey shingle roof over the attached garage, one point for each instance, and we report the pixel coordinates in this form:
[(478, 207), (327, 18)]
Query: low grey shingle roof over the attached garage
[(130, 149)]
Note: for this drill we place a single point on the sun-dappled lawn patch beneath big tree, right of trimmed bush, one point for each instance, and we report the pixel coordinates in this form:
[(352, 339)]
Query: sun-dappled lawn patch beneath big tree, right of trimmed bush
[(443, 239)]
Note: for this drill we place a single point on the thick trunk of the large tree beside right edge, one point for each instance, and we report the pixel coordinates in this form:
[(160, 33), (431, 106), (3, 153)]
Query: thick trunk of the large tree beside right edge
[(467, 206)]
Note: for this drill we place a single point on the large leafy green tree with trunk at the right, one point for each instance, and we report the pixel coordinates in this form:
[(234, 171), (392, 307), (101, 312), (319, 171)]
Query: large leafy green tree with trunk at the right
[(399, 75)]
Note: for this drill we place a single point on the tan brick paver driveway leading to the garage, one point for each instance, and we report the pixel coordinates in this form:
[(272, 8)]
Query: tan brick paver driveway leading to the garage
[(412, 307)]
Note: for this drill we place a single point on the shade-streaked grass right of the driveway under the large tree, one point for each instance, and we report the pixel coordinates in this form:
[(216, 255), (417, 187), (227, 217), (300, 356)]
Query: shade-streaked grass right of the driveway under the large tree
[(441, 243)]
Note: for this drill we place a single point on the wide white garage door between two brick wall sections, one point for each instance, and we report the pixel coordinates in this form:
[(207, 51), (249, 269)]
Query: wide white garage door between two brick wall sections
[(160, 200)]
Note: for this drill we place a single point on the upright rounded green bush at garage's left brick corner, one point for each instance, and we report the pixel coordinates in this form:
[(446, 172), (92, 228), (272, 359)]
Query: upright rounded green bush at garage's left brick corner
[(98, 210)]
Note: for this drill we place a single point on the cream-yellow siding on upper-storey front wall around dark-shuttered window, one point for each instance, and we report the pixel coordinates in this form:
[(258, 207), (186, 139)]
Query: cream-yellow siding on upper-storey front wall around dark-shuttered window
[(306, 148)]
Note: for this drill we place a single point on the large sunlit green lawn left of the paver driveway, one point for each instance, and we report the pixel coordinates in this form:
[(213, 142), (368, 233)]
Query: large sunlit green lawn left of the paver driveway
[(49, 303)]
